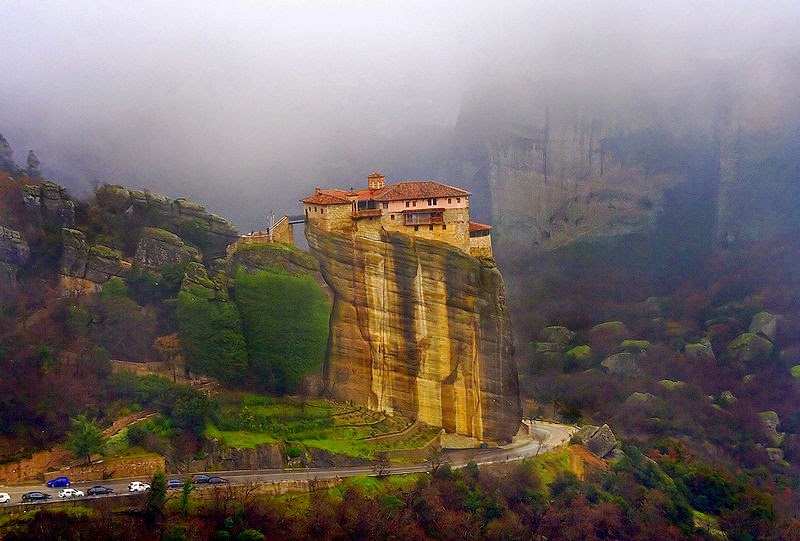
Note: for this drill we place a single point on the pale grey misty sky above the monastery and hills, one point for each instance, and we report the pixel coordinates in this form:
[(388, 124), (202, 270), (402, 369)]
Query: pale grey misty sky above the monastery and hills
[(245, 106)]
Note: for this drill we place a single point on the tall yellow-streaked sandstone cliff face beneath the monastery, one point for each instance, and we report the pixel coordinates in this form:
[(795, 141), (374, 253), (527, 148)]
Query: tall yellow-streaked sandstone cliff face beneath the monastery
[(419, 328)]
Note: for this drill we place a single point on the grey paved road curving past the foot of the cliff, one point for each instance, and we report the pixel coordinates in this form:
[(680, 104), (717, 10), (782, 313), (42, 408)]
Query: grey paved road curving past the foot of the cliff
[(543, 437)]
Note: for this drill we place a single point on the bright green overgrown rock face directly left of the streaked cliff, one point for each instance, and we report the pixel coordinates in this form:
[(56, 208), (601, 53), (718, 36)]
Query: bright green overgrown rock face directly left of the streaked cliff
[(285, 323)]
